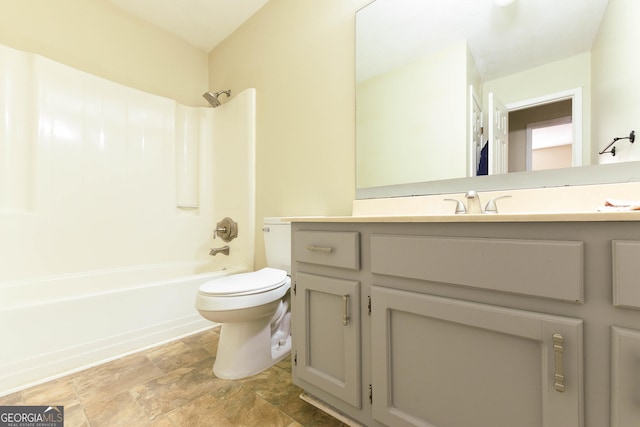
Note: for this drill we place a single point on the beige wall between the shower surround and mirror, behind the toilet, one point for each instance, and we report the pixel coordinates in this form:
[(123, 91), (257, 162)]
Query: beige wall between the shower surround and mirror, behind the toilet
[(299, 55)]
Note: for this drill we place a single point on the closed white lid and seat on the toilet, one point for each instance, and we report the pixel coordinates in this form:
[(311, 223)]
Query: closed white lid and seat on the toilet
[(245, 283)]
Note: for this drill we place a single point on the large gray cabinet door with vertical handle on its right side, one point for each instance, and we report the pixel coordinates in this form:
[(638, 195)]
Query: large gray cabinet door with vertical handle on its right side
[(444, 362)]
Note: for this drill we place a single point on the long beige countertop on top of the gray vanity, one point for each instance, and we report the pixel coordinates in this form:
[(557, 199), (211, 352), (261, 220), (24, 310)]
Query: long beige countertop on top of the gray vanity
[(506, 217)]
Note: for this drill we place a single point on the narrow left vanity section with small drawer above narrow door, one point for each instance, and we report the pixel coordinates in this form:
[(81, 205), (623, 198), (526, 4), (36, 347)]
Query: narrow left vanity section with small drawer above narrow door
[(326, 306)]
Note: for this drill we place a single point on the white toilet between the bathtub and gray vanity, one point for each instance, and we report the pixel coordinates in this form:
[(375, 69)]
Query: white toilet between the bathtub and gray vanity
[(253, 308)]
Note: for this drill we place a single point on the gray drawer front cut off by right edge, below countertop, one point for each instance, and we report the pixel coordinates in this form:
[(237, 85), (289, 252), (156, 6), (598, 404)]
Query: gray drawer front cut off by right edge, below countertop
[(626, 273)]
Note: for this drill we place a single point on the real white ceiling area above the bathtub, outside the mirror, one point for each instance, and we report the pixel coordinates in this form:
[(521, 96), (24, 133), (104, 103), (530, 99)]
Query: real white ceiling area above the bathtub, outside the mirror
[(202, 23)]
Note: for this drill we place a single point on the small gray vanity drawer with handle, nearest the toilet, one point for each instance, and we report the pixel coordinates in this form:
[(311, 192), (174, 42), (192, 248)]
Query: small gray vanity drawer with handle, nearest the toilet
[(331, 248)]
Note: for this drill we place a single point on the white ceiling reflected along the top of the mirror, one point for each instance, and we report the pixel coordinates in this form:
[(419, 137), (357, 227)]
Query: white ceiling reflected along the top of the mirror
[(532, 32)]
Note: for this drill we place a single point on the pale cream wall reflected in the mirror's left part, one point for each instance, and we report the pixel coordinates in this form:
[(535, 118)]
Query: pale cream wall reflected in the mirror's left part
[(409, 105)]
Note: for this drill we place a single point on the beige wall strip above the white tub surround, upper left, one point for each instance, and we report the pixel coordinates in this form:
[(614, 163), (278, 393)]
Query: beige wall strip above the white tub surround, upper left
[(95, 37)]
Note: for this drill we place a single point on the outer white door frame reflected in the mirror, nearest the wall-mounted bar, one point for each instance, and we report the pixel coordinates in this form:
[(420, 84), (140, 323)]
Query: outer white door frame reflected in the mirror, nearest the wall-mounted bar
[(576, 111)]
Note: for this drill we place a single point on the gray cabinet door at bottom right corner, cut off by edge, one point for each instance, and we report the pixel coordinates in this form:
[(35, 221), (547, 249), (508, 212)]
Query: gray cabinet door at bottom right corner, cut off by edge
[(625, 377)]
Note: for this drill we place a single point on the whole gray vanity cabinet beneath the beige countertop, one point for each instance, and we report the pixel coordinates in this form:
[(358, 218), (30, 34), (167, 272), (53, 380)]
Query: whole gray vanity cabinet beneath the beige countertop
[(470, 324)]
